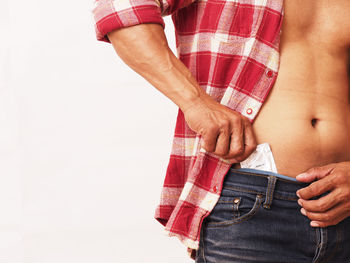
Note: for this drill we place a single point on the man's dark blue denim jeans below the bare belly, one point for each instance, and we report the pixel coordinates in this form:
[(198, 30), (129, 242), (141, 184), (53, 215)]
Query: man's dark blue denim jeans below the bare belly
[(258, 219)]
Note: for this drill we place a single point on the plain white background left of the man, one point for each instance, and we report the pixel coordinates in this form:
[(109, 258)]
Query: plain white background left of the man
[(81, 166)]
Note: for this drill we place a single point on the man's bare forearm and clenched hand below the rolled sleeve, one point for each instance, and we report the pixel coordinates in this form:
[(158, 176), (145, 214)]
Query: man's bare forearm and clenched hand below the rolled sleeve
[(225, 132)]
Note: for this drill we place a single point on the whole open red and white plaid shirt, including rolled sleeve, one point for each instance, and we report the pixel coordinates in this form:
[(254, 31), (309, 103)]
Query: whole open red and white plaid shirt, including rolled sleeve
[(232, 48)]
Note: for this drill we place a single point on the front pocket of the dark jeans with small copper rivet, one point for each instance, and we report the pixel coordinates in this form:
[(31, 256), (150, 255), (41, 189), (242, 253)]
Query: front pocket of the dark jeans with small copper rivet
[(233, 207)]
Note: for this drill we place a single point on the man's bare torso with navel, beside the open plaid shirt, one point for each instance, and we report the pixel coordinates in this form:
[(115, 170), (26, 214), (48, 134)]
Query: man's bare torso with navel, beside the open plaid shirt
[(306, 117)]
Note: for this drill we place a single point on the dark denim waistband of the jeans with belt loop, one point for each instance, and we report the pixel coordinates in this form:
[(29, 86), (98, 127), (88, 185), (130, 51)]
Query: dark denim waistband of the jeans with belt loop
[(267, 183)]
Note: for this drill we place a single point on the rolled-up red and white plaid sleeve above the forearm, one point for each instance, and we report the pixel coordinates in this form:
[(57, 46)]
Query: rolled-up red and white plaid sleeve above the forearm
[(114, 14)]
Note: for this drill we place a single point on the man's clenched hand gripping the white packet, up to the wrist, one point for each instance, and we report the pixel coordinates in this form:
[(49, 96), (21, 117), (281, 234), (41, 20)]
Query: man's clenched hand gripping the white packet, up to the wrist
[(225, 132)]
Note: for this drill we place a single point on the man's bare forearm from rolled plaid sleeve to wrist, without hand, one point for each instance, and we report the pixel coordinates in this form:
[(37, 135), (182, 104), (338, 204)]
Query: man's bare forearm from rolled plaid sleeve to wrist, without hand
[(145, 49)]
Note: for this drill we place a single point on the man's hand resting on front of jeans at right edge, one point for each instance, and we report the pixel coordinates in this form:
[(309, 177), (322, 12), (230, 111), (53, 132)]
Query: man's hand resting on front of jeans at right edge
[(332, 208)]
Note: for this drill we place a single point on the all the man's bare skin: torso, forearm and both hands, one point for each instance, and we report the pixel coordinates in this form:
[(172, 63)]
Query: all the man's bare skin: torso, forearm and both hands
[(312, 84)]
